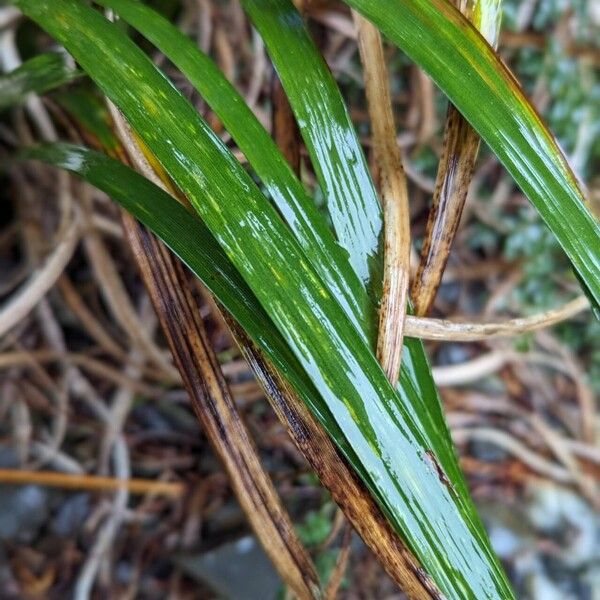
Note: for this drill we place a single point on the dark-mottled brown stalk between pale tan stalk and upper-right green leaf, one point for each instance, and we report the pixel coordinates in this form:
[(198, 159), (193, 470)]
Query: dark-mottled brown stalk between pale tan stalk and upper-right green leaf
[(459, 153)]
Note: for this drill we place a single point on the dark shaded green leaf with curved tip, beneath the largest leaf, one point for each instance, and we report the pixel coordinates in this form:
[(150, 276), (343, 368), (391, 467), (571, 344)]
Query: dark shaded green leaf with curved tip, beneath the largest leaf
[(182, 231)]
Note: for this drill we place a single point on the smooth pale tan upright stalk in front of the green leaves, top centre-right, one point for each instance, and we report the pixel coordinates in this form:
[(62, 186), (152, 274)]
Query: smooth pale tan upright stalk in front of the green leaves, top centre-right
[(394, 197)]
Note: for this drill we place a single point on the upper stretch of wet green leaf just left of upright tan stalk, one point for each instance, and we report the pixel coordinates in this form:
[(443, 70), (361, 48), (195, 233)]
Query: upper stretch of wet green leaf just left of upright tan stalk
[(328, 132)]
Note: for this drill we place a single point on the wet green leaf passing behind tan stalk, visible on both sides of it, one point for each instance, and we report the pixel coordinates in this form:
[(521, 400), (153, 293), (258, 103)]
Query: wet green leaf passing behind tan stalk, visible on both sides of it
[(336, 153)]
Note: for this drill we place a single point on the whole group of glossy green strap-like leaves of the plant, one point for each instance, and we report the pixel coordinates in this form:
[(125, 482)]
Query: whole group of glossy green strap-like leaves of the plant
[(306, 288)]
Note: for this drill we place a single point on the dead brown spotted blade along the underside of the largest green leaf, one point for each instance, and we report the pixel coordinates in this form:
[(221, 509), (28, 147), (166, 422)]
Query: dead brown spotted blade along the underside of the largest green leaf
[(337, 476)]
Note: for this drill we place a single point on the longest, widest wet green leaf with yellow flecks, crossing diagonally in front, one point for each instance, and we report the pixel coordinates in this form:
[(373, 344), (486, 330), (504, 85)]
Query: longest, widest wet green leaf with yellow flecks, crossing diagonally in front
[(438, 523)]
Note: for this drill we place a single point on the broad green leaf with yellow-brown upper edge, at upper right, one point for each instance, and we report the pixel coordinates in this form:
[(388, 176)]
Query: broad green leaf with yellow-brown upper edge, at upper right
[(437, 37)]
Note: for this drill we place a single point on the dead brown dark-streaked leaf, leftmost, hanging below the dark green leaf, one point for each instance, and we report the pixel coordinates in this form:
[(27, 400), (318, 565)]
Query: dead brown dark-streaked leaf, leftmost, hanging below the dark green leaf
[(211, 399)]
